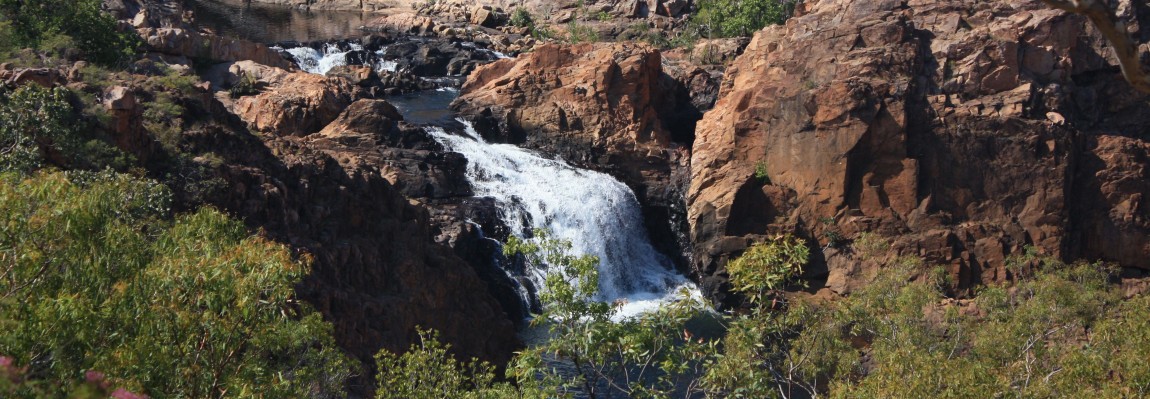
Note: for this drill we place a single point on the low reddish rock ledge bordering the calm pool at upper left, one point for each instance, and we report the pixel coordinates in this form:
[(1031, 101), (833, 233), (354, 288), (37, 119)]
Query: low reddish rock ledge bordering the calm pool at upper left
[(191, 44)]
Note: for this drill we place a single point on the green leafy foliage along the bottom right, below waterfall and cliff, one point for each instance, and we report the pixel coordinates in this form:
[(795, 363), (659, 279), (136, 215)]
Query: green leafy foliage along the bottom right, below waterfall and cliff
[(1061, 331)]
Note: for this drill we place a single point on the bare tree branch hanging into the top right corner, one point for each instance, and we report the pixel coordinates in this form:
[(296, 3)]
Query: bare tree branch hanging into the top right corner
[(1125, 48)]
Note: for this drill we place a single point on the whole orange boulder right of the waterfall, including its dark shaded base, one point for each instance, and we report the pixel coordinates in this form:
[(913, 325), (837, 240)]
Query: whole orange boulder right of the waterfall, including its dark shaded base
[(601, 106)]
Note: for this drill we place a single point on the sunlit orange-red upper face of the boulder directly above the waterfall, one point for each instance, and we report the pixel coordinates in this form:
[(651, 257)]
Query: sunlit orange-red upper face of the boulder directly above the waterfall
[(600, 96)]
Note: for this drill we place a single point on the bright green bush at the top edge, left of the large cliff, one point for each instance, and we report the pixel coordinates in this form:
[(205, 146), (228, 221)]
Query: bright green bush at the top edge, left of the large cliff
[(741, 18)]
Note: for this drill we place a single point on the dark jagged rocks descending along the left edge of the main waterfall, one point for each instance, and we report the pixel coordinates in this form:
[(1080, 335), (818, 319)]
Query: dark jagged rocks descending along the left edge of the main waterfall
[(425, 172)]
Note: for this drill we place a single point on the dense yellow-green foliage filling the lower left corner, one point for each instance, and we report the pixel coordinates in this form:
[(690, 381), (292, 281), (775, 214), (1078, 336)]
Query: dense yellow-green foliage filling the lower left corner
[(94, 277)]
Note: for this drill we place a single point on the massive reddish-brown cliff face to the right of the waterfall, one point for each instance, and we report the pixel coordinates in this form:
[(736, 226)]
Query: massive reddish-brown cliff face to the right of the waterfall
[(964, 131)]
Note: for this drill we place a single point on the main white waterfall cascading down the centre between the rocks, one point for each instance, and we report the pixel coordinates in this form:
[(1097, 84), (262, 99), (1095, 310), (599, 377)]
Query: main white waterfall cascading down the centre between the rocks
[(596, 213)]
